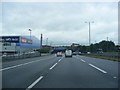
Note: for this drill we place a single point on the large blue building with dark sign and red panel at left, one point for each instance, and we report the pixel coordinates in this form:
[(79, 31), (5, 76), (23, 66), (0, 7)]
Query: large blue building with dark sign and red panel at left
[(19, 44)]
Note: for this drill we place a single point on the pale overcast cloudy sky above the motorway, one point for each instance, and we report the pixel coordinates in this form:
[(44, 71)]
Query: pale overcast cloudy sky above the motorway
[(63, 23)]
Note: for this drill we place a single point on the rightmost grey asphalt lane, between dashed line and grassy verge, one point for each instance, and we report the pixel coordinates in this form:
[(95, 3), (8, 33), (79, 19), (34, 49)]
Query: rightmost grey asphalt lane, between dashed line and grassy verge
[(107, 65)]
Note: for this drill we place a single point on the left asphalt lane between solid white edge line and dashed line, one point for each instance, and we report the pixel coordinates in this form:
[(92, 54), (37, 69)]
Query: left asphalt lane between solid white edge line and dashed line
[(22, 77)]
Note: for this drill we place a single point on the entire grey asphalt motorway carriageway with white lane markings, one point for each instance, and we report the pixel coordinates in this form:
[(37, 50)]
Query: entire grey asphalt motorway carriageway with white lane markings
[(60, 72)]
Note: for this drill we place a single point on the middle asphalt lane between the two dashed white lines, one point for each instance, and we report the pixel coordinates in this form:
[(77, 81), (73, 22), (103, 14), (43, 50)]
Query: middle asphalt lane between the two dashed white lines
[(71, 73)]
